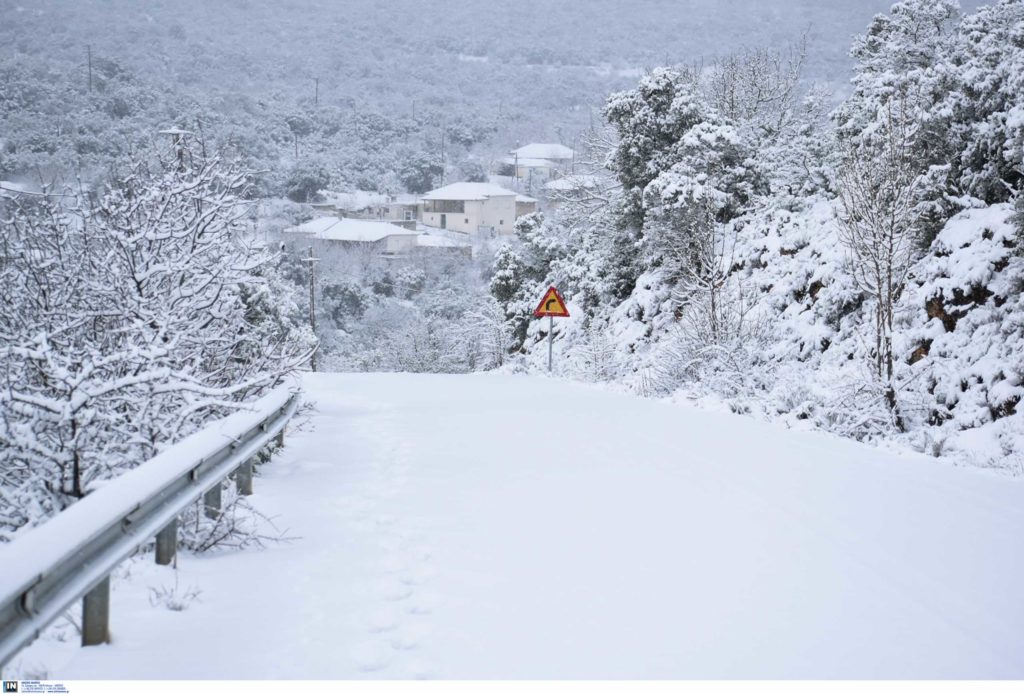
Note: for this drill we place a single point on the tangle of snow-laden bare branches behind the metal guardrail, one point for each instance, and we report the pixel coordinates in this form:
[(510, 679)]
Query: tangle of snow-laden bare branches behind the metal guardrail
[(129, 320)]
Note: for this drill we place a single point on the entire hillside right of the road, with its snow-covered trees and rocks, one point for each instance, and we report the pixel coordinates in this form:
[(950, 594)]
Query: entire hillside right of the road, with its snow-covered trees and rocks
[(859, 272)]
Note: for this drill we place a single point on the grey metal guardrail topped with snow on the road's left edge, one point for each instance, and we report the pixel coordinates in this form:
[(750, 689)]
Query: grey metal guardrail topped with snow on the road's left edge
[(72, 555)]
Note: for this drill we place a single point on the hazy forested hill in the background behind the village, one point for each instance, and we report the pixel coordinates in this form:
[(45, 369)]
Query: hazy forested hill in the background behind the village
[(391, 76)]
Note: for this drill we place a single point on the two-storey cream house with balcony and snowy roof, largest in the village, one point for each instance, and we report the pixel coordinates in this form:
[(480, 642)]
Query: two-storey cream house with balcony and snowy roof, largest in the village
[(471, 208)]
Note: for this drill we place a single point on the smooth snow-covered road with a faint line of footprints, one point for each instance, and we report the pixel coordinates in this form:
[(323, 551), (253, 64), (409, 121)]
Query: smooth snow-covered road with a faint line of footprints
[(487, 527)]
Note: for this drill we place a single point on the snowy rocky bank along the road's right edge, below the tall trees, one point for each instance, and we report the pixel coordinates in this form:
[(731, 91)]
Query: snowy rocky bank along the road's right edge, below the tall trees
[(804, 355)]
